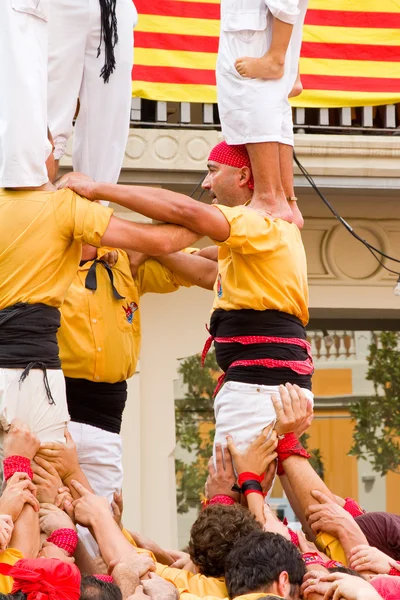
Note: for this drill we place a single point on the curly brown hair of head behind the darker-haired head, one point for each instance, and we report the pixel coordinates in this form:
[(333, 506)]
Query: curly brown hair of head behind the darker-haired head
[(214, 533)]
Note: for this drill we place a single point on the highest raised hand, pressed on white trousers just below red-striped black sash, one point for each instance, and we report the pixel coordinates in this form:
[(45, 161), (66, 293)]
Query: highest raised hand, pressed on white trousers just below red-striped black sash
[(293, 410)]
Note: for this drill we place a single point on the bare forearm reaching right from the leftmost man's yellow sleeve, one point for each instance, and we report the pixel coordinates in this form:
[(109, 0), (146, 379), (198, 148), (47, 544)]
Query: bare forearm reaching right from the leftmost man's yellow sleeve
[(154, 240)]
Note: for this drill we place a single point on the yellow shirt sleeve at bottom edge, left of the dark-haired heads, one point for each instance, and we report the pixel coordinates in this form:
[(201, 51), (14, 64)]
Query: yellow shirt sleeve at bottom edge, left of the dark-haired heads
[(192, 583)]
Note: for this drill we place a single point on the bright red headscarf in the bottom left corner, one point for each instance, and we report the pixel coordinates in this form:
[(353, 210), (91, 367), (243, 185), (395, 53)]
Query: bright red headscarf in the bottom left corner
[(44, 578)]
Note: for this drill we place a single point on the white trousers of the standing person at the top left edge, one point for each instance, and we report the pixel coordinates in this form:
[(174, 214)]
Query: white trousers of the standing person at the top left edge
[(24, 147)]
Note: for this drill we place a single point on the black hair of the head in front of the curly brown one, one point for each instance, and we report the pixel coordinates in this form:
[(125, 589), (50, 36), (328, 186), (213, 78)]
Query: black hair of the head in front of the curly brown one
[(257, 561)]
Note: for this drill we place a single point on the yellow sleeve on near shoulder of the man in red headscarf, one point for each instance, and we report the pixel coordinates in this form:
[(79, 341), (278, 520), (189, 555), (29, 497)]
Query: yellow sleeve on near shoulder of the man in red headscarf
[(250, 231)]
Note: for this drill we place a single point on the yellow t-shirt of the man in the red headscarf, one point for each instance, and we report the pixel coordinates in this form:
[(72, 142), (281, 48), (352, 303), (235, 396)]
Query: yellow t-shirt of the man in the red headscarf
[(262, 265)]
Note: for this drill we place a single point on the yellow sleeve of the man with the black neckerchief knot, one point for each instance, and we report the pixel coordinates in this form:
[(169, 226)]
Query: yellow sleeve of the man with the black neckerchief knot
[(153, 277)]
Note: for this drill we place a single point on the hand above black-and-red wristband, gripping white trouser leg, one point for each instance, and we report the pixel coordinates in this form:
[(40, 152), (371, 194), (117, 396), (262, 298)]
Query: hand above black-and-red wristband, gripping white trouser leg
[(258, 455)]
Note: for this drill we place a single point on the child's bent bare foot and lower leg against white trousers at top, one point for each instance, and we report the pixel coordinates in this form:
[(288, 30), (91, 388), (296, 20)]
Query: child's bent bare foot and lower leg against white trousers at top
[(272, 64)]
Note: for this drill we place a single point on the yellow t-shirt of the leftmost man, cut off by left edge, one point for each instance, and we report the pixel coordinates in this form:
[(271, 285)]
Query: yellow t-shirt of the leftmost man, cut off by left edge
[(41, 236)]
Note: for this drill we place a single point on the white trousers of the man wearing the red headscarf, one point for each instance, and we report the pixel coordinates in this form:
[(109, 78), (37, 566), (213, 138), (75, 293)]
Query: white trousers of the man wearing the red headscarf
[(243, 410)]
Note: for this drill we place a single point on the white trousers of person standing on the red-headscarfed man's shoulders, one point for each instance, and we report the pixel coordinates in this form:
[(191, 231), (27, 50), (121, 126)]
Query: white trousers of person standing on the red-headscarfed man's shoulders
[(254, 110)]
